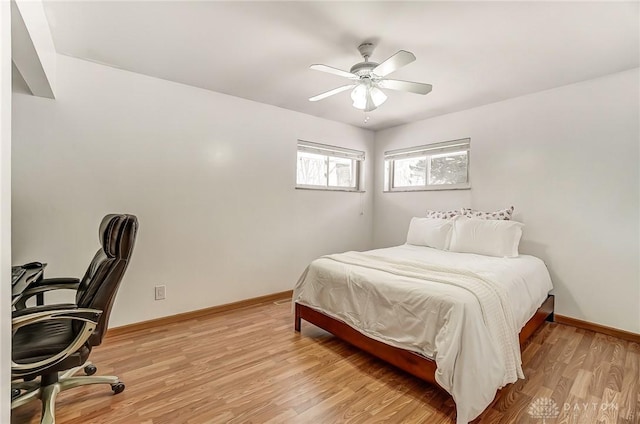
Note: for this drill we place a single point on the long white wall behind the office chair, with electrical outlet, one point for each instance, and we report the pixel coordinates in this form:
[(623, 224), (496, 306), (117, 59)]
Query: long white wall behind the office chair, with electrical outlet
[(211, 178)]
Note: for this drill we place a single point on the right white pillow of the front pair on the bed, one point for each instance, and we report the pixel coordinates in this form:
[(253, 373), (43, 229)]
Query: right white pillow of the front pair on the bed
[(486, 237)]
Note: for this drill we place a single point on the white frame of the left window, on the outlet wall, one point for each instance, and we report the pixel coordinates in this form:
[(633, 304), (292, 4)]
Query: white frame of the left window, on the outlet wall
[(357, 158)]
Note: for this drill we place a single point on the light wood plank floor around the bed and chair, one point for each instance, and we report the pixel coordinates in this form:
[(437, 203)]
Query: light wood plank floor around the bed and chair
[(249, 366)]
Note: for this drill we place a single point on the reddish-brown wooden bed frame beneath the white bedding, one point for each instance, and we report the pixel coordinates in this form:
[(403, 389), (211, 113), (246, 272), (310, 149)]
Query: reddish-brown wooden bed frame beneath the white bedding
[(411, 362)]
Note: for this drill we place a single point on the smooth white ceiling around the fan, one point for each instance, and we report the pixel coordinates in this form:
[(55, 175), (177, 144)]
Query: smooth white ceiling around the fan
[(473, 53)]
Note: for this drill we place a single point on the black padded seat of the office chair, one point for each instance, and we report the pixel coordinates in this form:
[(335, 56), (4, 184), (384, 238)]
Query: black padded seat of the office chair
[(45, 339)]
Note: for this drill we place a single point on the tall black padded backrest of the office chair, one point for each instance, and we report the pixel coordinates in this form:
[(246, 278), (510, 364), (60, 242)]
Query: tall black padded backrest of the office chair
[(100, 283)]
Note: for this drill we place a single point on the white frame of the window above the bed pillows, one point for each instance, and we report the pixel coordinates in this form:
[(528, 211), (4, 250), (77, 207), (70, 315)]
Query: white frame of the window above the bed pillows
[(427, 151)]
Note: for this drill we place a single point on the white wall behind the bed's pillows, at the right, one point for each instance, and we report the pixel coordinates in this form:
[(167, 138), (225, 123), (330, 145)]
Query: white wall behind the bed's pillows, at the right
[(568, 160)]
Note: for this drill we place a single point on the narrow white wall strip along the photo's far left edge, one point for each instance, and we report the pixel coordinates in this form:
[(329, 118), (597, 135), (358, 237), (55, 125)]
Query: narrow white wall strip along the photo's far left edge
[(5, 209)]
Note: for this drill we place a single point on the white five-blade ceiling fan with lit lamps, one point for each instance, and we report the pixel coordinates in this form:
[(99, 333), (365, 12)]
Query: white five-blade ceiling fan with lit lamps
[(369, 77)]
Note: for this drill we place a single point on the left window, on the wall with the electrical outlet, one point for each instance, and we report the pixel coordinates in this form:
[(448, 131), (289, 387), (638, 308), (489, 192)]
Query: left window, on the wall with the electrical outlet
[(326, 167)]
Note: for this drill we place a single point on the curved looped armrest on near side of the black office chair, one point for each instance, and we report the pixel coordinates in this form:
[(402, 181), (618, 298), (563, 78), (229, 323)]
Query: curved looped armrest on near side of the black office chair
[(29, 316)]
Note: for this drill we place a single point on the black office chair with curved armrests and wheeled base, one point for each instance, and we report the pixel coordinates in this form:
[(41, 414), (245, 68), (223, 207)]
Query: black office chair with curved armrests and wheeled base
[(53, 342)]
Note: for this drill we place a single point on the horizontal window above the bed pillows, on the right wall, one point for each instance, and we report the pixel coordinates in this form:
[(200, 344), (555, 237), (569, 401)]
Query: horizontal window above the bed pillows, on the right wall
[(439, 166)]
